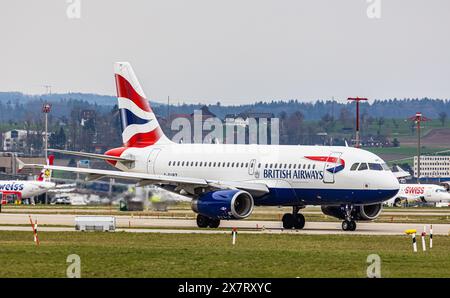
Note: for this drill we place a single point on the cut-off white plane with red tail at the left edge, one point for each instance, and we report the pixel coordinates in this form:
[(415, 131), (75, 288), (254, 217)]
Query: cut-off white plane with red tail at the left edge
[(25, 189)]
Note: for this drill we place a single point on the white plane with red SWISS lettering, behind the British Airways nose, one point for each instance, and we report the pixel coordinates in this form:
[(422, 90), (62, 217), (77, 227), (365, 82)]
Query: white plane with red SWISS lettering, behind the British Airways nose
[(419, 193)]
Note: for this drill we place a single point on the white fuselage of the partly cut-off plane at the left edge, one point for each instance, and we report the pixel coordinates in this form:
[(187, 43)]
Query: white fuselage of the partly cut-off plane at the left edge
[(25, 189)]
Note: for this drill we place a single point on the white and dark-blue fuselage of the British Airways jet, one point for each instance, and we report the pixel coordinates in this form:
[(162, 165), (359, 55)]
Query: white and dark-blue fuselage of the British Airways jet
[(294, 174)]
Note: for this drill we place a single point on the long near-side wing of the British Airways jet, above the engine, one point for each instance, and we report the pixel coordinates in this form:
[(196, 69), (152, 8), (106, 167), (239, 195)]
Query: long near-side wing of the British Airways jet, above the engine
[(189, 185)]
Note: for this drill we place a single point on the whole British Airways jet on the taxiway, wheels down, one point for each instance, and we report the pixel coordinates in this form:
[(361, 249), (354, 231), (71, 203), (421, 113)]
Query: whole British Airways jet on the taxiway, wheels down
[(226, 181)]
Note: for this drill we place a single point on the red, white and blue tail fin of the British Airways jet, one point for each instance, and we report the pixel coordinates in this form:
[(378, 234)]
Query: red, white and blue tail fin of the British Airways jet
[(140, 127)]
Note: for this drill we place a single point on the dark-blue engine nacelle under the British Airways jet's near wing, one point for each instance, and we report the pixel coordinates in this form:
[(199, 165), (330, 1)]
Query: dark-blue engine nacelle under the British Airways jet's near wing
[(224, 204)]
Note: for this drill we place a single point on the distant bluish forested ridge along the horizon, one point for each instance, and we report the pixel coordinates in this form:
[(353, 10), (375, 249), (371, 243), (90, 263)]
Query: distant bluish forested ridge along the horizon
[(18, 106)]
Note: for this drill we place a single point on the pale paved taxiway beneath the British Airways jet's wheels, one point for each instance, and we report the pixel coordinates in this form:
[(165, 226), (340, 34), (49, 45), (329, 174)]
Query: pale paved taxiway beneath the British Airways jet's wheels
[(147, 224)]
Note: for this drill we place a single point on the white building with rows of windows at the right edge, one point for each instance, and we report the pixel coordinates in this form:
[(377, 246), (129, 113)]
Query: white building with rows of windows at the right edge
[(433, 167)]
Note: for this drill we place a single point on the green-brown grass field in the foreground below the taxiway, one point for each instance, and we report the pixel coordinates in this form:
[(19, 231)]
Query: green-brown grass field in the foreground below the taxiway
[(193, 255)]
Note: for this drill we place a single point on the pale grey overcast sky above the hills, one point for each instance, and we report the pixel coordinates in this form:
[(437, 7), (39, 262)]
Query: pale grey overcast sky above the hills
[(233, 51)]
